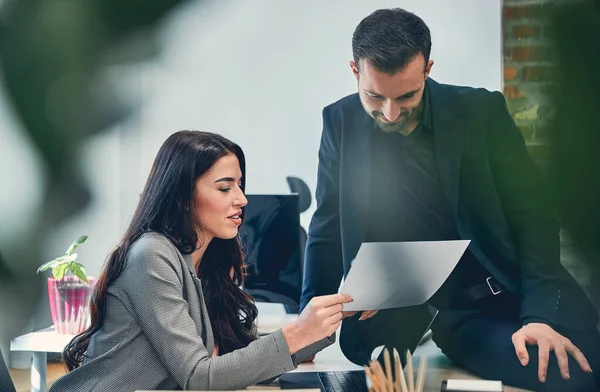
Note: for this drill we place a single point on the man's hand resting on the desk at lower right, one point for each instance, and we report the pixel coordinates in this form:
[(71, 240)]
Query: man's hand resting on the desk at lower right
[(547, 339)]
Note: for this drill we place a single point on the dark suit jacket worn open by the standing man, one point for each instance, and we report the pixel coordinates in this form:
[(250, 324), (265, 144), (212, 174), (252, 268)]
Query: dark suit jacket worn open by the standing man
[(496, 194)]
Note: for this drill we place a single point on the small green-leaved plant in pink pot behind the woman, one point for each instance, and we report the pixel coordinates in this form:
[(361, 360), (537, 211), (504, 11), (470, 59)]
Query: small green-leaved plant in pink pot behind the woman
[(69, 295)]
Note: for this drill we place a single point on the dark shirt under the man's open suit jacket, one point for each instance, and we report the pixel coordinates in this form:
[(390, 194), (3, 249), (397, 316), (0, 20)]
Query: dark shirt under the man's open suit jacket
[(407, 202)]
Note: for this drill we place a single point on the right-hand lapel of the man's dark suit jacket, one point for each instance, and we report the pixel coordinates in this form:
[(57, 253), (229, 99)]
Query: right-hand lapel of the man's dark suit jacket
[(448, 118)]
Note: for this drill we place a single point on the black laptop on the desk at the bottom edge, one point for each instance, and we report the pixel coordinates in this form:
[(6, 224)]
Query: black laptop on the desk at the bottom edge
[(338, 381)]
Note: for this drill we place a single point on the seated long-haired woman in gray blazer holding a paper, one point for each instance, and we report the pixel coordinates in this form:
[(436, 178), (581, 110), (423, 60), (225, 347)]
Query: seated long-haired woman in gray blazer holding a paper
[(168, 312)]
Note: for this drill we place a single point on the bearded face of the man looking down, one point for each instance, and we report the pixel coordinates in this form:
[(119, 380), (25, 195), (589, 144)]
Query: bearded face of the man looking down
[(392, 100)]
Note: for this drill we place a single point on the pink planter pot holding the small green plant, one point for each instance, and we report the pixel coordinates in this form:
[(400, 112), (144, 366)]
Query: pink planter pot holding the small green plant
[(69, 303)]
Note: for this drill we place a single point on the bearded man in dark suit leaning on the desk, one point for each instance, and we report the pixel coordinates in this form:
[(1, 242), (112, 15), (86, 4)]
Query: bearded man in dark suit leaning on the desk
[(408, 159)]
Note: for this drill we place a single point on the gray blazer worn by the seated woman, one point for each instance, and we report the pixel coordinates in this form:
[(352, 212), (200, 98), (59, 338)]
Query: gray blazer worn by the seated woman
[(157, 334)]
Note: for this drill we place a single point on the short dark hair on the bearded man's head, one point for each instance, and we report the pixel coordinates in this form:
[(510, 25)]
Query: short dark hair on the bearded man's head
[(389, 39)]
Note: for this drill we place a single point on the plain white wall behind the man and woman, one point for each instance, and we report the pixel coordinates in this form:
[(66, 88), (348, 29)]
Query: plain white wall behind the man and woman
[(259, 72)]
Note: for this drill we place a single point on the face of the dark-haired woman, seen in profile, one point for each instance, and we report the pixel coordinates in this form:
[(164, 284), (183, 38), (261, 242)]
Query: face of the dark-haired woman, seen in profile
[(218, 200)]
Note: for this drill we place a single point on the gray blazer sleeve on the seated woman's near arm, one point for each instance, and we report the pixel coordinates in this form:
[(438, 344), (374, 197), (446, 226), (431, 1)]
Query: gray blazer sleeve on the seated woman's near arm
[(153, 285)]
